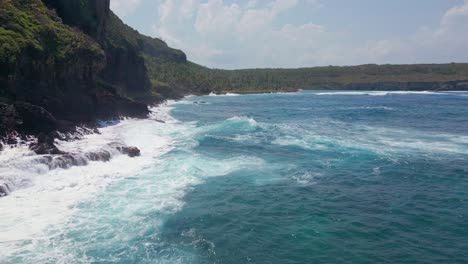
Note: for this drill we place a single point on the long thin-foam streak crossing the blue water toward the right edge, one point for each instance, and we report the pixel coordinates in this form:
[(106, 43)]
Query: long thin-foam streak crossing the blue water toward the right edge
[(326, 133)]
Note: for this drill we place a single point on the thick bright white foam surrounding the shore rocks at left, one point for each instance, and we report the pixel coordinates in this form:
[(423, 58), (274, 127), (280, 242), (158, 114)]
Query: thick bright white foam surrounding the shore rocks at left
[(44, 198)]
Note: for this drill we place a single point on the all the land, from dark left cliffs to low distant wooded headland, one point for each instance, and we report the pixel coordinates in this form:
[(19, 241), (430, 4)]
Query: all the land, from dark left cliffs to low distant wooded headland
[(64, 62)]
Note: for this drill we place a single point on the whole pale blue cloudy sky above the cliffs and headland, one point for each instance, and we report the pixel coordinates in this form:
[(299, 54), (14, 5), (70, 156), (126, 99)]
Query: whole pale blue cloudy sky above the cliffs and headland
[(231, 34)]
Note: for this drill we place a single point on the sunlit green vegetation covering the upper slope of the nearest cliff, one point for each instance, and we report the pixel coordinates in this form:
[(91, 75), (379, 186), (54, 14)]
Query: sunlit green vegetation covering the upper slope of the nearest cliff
[(28, 26)]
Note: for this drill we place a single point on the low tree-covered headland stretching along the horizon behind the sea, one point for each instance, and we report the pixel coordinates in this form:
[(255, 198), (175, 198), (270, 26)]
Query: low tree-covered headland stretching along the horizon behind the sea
[(364, 77)]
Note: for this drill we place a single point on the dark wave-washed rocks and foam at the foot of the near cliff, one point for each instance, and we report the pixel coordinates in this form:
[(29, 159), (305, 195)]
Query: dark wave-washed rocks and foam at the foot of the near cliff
[(78, 149)]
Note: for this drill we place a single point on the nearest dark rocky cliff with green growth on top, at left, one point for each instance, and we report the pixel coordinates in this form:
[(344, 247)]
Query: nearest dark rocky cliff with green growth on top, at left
[(55, 67)]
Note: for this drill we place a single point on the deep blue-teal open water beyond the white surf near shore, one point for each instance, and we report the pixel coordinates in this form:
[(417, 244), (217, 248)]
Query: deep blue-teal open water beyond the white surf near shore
[(346, 179)]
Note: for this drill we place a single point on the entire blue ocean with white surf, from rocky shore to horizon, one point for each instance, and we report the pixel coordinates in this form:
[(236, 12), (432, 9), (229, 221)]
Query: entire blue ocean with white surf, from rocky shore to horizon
[(306, 177)]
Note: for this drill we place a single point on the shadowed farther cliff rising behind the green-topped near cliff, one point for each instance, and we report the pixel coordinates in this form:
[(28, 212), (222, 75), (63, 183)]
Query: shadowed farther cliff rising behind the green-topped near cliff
[(124, 48)]
